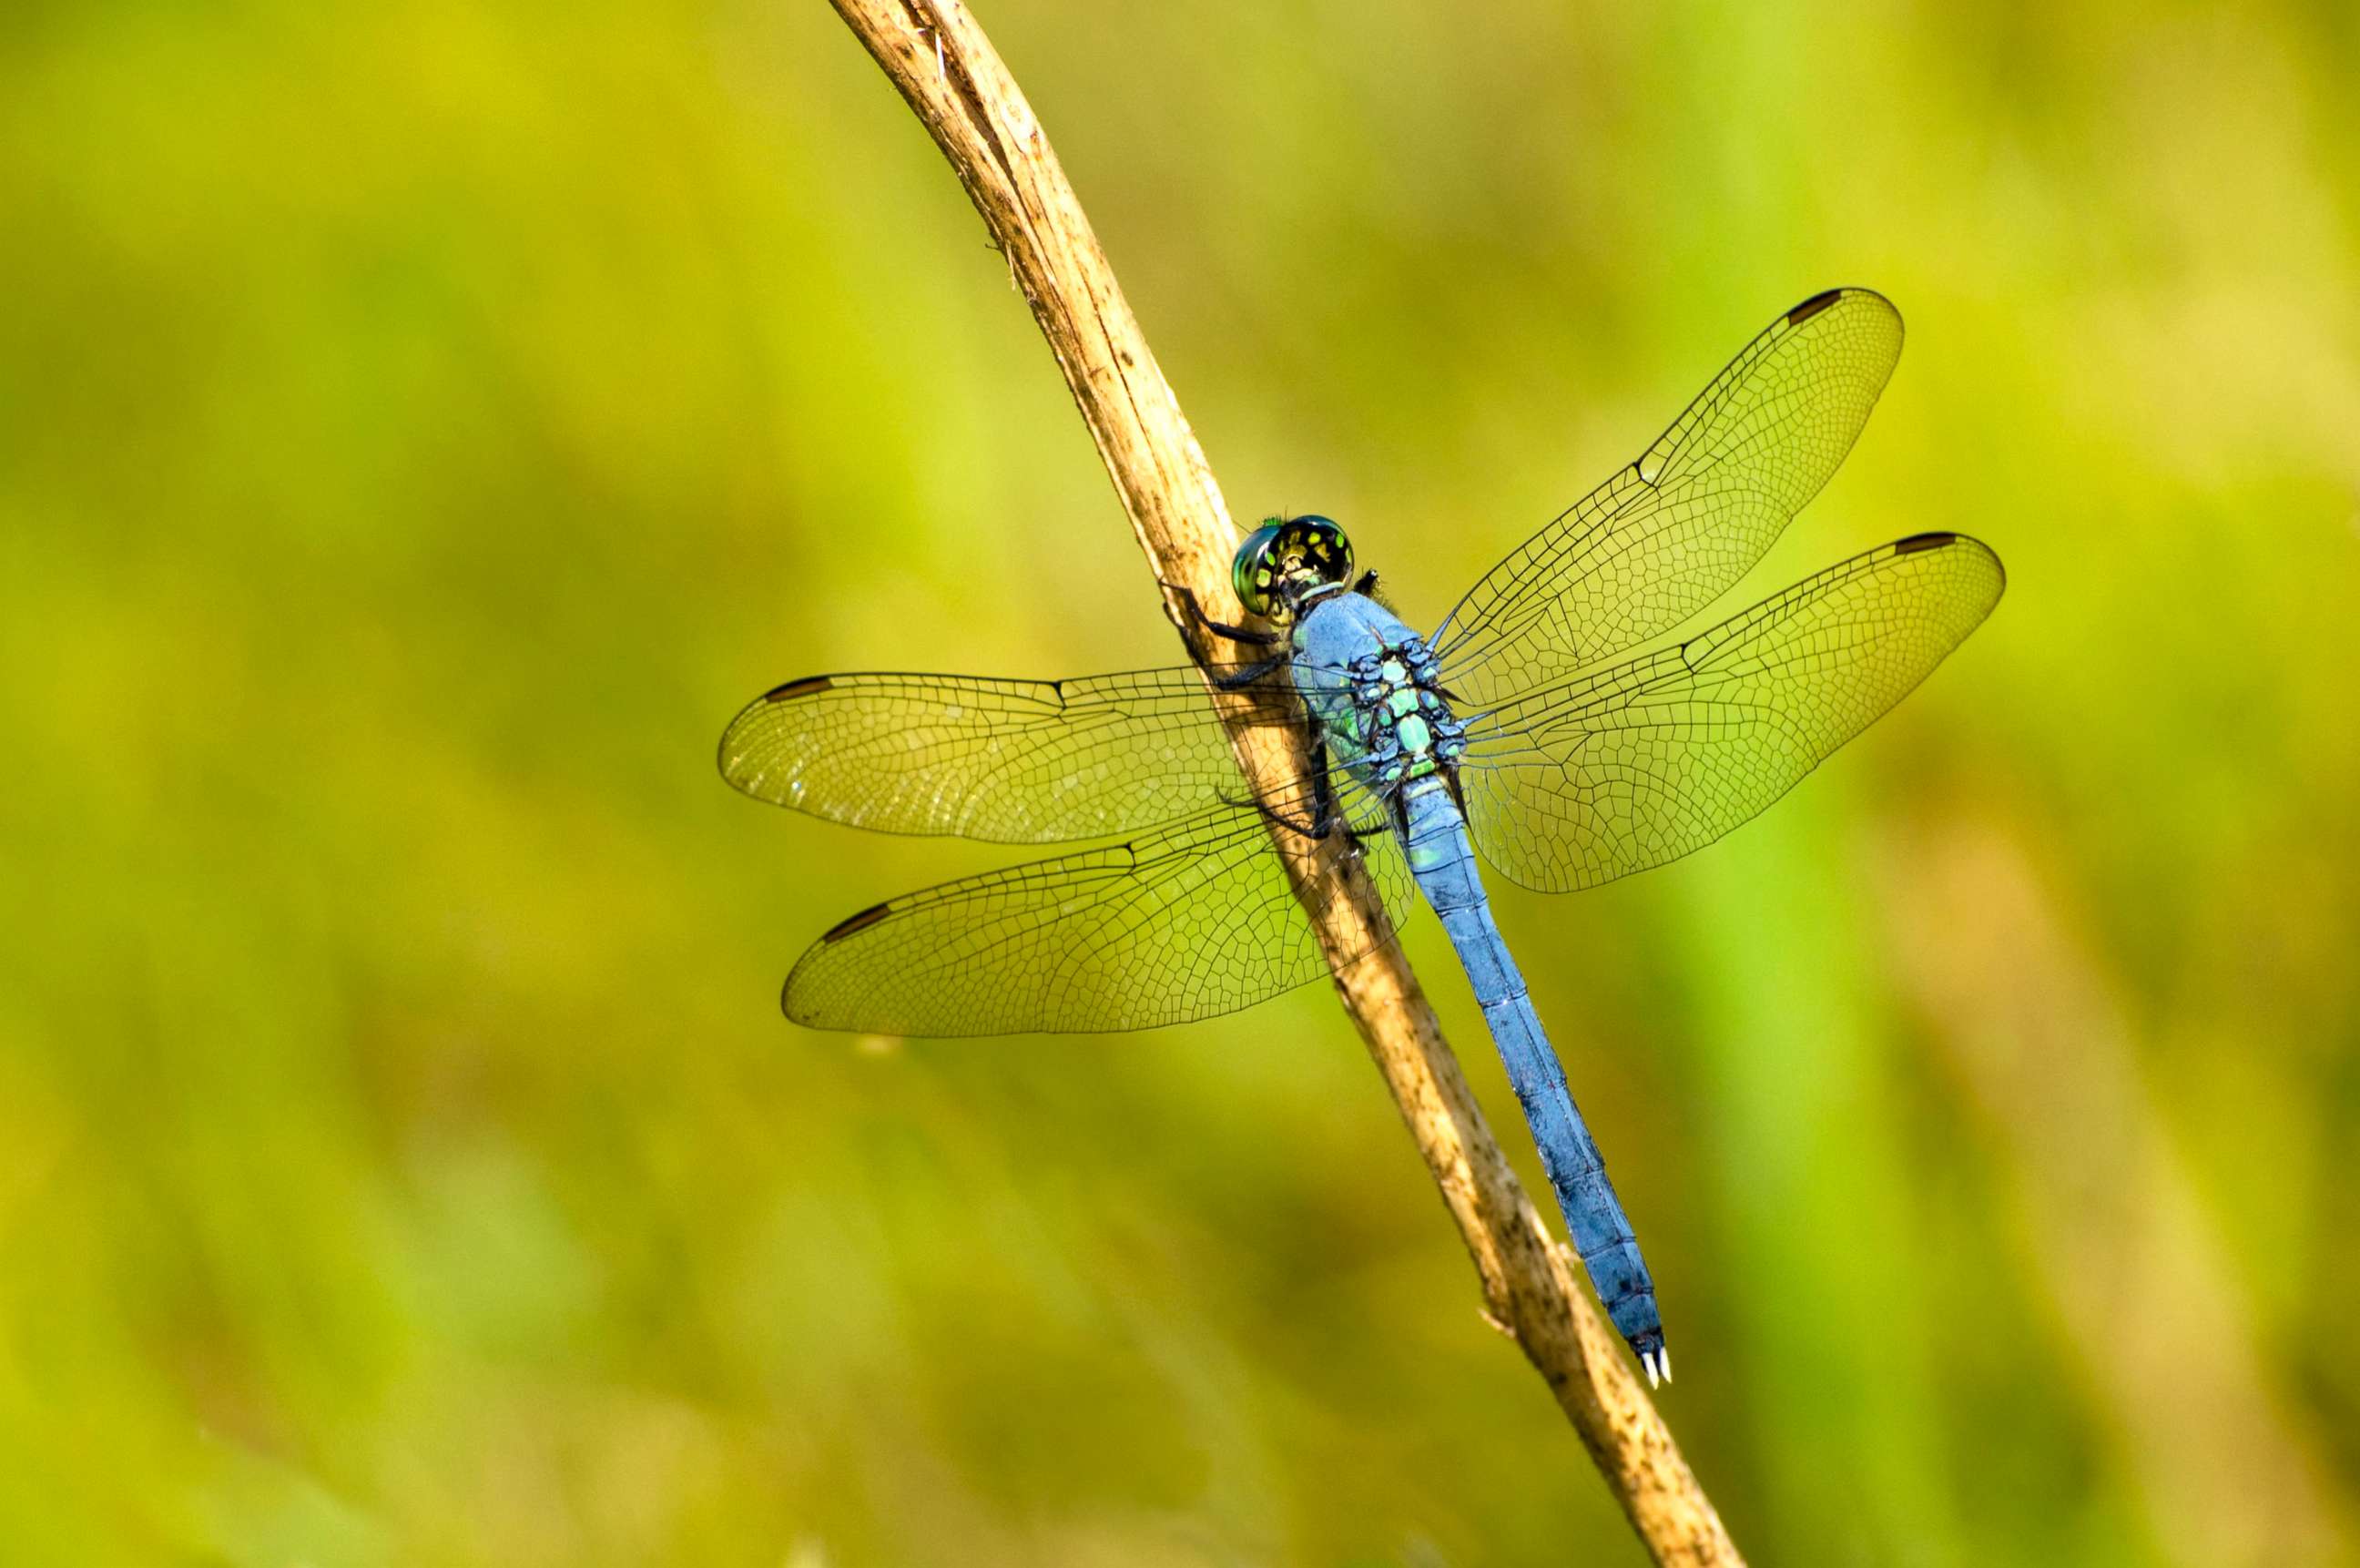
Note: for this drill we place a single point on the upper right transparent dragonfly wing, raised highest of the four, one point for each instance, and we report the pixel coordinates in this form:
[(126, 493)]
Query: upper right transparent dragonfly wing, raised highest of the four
[(1674, 530)]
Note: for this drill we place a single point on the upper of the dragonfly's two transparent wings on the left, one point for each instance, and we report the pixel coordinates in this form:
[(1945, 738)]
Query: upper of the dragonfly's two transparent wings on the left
[(1009, 762)]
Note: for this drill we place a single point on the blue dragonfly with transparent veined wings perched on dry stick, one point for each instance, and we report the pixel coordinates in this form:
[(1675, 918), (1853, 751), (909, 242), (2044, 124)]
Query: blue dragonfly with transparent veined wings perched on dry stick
[(1535, 733)]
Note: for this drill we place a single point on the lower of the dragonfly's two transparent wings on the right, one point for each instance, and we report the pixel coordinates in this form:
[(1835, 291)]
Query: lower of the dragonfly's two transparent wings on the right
[(1658, 757)]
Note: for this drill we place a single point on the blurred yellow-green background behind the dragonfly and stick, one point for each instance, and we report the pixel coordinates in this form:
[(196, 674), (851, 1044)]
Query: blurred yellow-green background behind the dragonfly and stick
[(424, 424)]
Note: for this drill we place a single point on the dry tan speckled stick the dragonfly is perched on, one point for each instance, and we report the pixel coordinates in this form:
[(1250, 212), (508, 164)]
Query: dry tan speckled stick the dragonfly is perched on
[(955, 81)]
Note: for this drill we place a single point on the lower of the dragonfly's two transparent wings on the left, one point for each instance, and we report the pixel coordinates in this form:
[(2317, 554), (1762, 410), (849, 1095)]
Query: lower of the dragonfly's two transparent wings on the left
[(1188, 922)]
